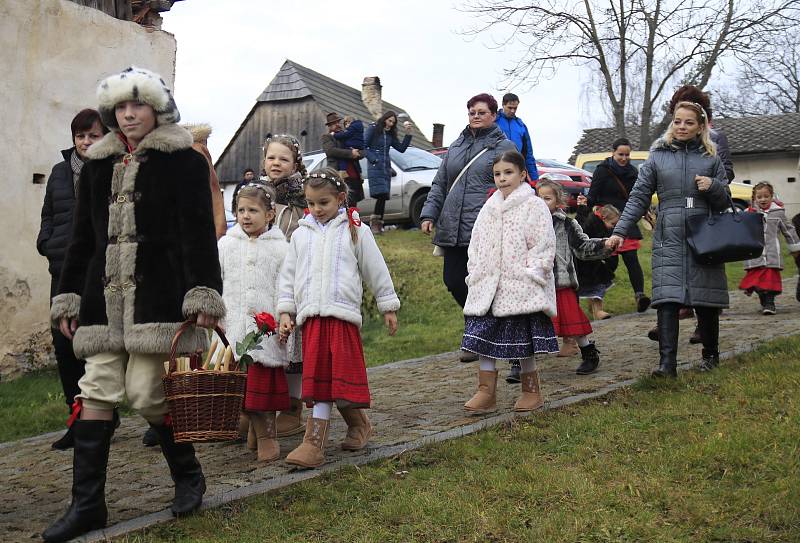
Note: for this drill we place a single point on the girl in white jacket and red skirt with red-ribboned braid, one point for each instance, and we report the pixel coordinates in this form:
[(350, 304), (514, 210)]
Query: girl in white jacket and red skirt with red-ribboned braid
[(330, 254)]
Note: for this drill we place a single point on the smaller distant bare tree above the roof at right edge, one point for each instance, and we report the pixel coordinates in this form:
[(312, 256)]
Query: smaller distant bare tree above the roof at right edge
[(768, 83)]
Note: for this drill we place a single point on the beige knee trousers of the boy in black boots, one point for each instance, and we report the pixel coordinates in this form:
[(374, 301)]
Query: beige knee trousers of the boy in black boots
[(110, 377)]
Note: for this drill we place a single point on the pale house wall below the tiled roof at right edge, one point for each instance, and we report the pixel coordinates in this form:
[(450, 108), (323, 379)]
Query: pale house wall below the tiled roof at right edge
[(778, 169)]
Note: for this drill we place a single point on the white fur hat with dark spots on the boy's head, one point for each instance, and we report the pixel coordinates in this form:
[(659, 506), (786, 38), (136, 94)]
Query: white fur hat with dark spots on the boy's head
[(136, 84)]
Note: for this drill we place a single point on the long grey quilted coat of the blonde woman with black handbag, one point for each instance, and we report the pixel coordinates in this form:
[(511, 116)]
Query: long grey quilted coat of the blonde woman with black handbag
[(670, 172)]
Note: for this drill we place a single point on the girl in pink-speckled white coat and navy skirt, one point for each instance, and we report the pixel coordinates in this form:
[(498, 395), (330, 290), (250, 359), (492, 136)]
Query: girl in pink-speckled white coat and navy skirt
[(511, 285)]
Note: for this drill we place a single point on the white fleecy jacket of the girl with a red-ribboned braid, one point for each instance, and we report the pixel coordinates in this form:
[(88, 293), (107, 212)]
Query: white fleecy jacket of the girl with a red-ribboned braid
[(322, 274)]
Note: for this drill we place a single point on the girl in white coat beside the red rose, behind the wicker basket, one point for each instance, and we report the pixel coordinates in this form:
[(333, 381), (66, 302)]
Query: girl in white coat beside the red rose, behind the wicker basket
[(251, 255)]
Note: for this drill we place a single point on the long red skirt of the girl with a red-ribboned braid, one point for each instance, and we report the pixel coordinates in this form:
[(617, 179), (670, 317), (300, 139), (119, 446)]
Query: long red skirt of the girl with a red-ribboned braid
[(333, 363)]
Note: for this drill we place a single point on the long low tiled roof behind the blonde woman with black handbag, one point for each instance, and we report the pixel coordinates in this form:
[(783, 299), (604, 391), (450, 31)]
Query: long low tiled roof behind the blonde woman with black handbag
[(746, 135)]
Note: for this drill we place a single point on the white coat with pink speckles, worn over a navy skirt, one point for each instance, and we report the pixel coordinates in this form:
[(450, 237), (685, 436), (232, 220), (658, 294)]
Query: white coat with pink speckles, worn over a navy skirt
[(511, 257)]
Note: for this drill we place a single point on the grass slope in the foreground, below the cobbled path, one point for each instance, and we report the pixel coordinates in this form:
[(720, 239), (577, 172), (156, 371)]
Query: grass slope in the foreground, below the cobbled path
[(709, 457)]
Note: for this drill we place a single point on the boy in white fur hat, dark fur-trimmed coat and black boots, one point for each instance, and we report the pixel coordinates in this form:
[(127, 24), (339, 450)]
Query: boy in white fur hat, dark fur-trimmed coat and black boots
[(143, 258)]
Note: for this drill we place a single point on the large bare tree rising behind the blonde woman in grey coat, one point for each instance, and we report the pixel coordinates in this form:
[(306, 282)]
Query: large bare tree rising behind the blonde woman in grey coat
[(640, 49)]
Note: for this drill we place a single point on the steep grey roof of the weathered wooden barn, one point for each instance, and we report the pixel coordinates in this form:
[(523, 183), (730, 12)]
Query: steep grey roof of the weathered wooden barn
[(294, 81)]
